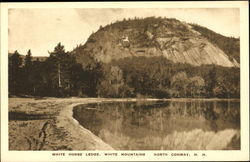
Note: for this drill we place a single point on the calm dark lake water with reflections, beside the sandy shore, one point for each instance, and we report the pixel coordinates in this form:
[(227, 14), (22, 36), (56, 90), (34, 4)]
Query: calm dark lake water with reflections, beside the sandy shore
[(165, 125)]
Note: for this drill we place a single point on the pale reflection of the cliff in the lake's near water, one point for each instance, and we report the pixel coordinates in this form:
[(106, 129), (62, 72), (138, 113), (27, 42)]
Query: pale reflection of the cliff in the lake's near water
[(196, 139)]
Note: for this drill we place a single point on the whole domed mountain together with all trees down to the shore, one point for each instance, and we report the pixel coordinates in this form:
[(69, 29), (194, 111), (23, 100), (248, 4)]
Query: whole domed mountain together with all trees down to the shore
[(150, 57)]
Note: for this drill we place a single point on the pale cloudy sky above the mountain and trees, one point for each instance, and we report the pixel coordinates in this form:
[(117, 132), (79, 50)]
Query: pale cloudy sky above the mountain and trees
[(41, 29)]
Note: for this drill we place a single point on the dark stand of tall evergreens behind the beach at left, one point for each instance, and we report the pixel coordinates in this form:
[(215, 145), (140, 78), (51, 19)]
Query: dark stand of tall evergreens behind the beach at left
[(58, 76)]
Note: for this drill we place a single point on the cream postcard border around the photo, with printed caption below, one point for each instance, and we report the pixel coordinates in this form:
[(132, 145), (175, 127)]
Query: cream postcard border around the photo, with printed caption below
[(243, 154)]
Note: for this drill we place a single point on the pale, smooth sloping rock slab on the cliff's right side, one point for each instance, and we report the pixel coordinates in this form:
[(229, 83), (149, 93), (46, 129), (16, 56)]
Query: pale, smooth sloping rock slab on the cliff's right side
[(197, 51)]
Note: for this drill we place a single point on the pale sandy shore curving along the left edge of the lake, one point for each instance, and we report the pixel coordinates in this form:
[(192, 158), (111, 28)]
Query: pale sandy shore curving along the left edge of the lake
[(47, 124)]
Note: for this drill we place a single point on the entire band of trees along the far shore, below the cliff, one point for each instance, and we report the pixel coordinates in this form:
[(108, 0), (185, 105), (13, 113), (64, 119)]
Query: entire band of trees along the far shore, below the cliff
[(61, 76)]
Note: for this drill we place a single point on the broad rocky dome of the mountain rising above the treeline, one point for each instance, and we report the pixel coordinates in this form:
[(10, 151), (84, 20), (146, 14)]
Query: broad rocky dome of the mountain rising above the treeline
[(175, 40)]
